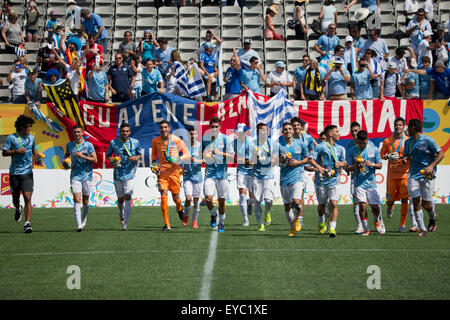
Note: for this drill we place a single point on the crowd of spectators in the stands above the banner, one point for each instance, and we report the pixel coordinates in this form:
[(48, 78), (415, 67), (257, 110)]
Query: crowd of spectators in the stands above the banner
[(360, 67)]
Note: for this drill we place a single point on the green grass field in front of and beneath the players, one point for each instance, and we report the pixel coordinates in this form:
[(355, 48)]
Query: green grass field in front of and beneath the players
[(145, 263)]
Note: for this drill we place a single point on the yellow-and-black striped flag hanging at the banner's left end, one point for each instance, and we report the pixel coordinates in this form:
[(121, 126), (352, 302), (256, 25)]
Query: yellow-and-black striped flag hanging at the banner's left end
[(64, 99)]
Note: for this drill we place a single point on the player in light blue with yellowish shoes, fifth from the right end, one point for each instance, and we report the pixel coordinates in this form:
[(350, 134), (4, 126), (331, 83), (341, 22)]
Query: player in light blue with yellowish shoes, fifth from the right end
[(328, 158)]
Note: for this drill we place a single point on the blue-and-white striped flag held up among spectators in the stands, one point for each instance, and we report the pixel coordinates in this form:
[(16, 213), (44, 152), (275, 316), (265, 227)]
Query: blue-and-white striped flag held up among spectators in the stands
[(190, 85)]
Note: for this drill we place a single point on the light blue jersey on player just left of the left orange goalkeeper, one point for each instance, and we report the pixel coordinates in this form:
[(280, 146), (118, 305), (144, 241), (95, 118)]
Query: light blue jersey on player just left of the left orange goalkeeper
[(131, 148)]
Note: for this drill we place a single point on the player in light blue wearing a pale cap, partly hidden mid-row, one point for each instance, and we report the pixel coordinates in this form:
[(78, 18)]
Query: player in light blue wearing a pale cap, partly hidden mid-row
[(244, 172)]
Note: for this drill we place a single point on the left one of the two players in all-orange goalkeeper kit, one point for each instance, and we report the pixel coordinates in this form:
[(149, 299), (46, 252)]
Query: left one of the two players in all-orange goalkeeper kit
[(167, 152)]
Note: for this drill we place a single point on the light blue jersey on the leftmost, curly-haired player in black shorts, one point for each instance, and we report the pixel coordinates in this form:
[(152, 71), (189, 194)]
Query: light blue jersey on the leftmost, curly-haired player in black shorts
[(20, 163)]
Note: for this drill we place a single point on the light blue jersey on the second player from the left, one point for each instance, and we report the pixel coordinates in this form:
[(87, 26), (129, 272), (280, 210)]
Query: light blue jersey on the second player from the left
[(81, 168)]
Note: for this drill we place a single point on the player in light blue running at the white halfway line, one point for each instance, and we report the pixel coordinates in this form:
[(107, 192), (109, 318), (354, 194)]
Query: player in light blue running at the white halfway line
[(217, 152)]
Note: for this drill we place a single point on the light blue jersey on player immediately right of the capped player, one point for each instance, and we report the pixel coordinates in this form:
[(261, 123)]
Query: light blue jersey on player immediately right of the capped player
[(263, 169)]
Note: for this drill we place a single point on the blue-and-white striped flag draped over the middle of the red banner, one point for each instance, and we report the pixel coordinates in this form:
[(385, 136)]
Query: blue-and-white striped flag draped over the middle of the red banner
[(274, 112)]
